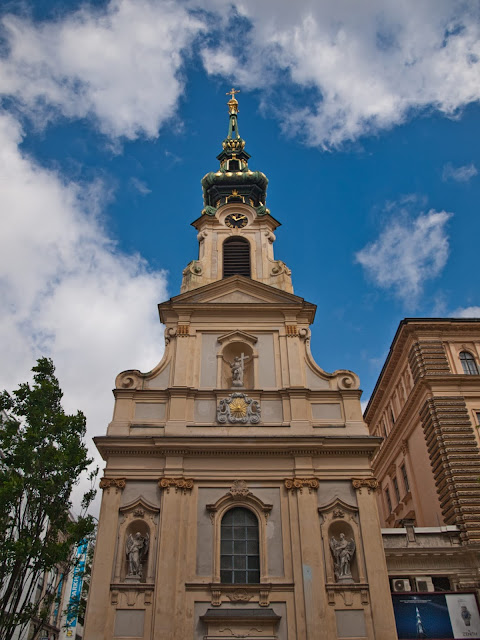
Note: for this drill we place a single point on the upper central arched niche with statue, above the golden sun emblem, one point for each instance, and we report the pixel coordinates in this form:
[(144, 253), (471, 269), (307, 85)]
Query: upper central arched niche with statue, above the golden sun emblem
[(235, 345)]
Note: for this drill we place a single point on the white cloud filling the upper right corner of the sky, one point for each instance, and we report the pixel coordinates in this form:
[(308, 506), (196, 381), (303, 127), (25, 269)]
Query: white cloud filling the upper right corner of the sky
[(364, 66)]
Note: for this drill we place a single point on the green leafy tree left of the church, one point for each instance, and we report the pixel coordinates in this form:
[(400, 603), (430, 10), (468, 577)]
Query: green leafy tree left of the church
[(42, 455)]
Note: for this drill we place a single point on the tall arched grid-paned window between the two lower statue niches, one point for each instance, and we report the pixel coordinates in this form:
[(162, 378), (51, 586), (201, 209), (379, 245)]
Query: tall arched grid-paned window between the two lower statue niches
[(239, 550)]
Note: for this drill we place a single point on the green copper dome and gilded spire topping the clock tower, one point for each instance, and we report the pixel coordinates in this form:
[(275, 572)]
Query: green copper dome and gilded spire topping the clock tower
[(234, 182)]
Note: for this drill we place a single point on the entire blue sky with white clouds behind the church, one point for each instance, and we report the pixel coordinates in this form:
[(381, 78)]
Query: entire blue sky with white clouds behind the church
[(364, 117)]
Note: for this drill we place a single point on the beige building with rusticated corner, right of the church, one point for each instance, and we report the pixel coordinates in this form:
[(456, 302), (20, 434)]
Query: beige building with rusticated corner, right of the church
[(426, 406)]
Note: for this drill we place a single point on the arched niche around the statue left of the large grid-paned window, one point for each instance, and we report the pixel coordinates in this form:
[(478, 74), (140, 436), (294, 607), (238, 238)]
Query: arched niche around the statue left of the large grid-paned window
[(142, 517)]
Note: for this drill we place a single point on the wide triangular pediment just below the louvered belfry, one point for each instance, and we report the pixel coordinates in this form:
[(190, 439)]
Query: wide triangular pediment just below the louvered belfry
[(237, 290)]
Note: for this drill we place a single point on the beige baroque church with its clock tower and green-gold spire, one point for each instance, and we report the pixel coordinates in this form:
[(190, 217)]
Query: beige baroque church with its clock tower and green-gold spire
[(238, 497)]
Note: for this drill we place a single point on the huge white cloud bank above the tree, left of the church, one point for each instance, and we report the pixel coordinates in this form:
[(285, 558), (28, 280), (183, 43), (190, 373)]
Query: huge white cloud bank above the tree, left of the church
[(67, 292)]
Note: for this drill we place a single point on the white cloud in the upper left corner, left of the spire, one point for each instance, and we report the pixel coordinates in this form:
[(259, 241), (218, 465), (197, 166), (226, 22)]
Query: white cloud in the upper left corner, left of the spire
[(120, 65)]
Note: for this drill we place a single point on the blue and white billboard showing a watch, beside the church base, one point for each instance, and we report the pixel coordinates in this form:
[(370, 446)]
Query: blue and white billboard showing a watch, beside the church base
[(436, 616)]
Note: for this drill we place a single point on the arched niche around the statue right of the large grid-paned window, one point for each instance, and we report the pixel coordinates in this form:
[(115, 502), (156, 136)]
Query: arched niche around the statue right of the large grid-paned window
[(338, 518)]
